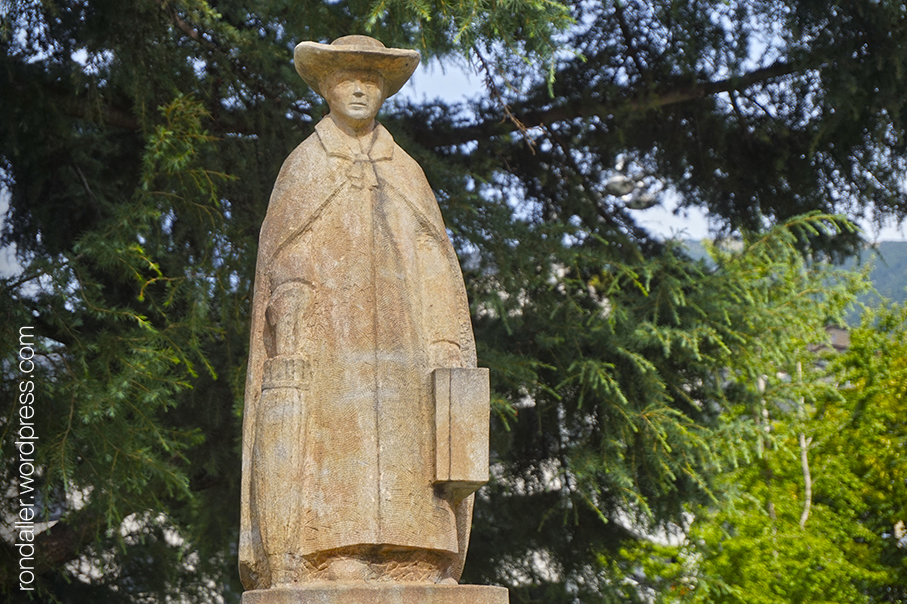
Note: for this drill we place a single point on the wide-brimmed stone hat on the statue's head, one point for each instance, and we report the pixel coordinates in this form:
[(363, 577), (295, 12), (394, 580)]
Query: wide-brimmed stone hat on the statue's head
[(315, 62)]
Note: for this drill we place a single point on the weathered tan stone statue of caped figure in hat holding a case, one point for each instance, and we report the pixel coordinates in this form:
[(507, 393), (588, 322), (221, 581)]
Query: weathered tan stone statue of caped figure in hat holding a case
[(366, 420)]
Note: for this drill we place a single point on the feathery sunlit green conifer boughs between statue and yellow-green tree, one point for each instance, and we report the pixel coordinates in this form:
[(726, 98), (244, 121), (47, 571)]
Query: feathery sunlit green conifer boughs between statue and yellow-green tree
[(664, 398)]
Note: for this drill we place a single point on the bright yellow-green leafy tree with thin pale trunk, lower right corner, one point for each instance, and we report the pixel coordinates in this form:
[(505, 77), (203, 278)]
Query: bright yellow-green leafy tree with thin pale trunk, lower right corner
[(819, 516)]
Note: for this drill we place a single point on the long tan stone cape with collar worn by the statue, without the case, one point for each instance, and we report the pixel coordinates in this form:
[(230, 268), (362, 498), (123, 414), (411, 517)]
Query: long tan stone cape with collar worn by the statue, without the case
[(341, 458)]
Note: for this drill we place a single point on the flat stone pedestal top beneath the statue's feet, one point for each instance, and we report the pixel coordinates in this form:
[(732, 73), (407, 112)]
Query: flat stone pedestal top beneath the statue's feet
[(379, 594)]
